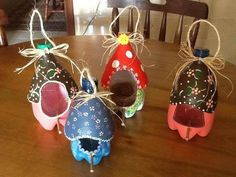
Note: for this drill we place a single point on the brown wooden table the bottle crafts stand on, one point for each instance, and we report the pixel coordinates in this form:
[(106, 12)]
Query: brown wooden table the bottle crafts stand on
[(147, 147)]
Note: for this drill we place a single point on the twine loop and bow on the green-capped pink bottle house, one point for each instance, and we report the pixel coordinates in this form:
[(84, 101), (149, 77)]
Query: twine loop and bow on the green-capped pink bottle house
[(34, 53)]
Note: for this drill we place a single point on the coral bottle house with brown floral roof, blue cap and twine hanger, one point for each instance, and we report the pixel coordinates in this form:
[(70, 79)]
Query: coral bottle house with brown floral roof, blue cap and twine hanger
[(193, 97)]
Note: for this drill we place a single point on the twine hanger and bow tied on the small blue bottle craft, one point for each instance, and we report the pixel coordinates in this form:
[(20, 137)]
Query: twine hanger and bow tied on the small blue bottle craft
[(82, 97)]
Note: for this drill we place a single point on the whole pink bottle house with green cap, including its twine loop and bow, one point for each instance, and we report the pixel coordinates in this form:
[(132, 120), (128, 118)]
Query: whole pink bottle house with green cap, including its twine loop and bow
[(52, 86)]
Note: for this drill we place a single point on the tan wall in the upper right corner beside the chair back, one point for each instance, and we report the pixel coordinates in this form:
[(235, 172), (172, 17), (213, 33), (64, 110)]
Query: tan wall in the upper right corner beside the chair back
[(222, 13)]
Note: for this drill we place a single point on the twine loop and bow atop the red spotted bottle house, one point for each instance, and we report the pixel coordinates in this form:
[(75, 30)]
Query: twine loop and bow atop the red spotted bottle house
[(112, 40)]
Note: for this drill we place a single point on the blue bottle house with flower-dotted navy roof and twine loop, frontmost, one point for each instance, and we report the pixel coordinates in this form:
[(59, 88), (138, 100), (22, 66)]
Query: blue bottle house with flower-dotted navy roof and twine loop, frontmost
[(90, 126)]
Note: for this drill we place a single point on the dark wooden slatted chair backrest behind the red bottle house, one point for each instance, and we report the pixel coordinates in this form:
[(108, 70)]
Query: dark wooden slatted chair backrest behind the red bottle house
[(197, 10)]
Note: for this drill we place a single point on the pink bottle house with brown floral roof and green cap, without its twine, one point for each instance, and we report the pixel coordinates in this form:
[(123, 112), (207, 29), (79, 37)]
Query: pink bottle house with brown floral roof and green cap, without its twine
[(51, 90)]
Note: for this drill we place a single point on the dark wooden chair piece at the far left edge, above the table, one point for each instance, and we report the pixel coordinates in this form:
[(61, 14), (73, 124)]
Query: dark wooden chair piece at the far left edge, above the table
[(3, 22)]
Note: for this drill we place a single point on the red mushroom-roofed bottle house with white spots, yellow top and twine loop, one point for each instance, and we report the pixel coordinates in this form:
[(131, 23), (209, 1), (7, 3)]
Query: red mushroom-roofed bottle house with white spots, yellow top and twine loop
[(124, 73)]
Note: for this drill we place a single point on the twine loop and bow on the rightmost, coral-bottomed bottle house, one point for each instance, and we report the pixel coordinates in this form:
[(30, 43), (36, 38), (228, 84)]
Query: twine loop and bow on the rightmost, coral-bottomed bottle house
[(215, 63)]
